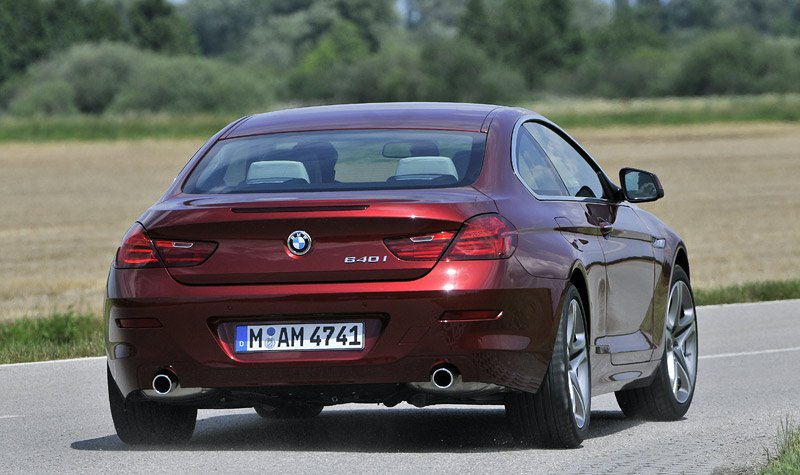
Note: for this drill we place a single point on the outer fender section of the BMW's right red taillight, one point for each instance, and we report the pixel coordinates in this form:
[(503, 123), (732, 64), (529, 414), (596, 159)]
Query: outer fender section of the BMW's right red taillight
[(488, 236)]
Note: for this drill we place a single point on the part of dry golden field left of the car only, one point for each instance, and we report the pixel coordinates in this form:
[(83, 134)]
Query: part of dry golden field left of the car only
[(65, 206)]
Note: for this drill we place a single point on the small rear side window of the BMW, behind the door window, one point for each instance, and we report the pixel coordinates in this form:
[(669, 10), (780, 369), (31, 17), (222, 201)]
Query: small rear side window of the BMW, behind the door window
[(535, 169)]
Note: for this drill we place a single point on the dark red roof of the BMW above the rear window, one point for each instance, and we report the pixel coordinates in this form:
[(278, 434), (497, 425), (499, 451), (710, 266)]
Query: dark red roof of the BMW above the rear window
[(409, 115)]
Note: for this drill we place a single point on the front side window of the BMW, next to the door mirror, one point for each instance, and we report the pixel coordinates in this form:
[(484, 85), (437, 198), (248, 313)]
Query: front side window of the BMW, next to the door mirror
[(578, 175)]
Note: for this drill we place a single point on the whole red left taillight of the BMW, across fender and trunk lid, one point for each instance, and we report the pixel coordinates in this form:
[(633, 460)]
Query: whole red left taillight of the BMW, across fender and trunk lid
[(138, 251)]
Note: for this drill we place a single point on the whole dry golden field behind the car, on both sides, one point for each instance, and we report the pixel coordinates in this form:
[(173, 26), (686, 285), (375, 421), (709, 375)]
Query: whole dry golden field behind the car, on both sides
[(731, 191)]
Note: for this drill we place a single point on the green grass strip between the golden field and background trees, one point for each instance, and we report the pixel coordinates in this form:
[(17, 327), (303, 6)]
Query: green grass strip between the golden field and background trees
[(568, 112)]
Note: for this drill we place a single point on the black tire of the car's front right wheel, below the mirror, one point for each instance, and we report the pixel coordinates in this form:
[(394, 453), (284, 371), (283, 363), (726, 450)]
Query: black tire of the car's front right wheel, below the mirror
[(658, 401)]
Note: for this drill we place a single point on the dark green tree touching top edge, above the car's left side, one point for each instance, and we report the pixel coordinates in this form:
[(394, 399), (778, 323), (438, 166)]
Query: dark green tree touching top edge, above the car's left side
[(155, 25)]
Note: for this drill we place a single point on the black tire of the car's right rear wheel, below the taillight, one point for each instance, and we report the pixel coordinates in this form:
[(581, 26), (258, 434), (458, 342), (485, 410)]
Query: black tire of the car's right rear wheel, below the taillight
[(548, 417)]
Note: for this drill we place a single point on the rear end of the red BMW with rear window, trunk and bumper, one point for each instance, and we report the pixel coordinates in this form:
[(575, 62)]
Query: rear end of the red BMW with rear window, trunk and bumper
[(328, 266)]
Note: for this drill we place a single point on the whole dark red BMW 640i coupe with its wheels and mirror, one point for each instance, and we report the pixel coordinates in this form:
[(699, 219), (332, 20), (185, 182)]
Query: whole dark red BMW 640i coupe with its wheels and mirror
[(388, 253)]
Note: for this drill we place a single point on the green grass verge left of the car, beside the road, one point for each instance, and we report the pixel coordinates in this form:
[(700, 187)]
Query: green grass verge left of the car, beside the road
[(63, 335)]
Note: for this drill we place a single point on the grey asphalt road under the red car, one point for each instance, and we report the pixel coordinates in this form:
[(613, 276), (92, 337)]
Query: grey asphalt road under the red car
[(54, 418)]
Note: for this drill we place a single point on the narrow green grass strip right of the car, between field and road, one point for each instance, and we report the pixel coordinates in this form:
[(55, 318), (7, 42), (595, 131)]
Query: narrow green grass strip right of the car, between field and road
[(750, 292)]
